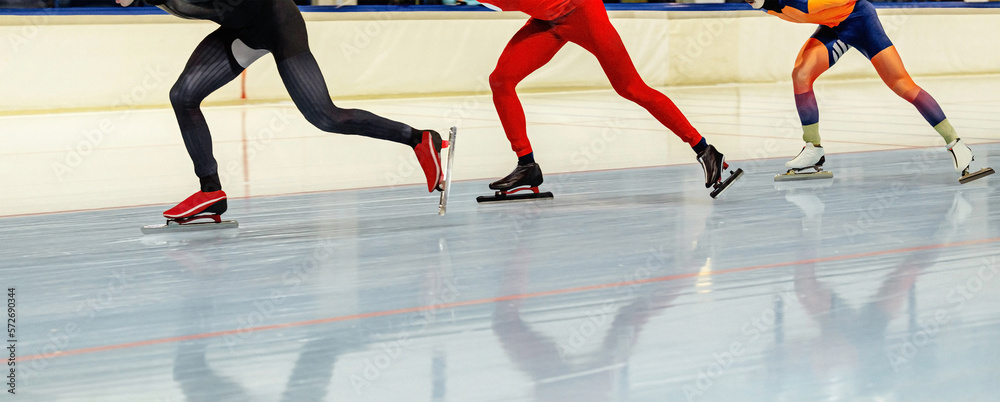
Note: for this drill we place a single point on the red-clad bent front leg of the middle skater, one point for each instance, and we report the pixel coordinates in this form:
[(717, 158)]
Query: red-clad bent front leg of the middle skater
[(530, 48)]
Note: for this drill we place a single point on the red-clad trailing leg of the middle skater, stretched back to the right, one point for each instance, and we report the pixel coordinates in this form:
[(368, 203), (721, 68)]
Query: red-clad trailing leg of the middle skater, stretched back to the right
[(590, 27)]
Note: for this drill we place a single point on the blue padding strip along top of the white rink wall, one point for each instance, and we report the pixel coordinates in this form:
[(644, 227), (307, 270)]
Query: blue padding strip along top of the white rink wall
[(356, 9)]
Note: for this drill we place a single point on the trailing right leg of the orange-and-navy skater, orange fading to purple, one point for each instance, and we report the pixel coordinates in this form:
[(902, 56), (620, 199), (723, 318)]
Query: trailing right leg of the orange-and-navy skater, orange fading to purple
[(890, 68)]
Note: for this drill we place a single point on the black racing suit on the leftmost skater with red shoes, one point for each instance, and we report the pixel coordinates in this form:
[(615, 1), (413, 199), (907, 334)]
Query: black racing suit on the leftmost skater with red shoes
[(250, 29)]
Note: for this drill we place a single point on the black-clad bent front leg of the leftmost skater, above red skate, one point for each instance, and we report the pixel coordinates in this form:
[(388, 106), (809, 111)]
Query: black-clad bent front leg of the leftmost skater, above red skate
[(211, 66)]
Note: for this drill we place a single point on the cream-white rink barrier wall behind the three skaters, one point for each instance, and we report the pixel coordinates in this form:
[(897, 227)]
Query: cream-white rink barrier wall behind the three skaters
[(51, 63)]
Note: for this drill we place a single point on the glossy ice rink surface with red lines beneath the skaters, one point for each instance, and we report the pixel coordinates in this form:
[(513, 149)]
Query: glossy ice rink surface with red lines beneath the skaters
[(632, 284)]
